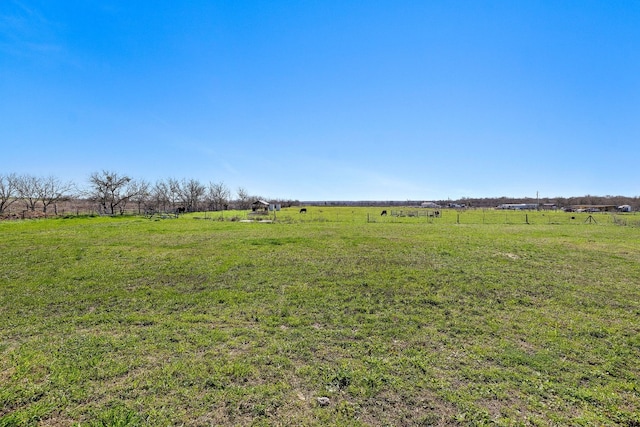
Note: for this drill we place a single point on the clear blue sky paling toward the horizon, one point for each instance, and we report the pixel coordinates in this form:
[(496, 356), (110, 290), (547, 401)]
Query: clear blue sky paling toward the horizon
[(327, 100)]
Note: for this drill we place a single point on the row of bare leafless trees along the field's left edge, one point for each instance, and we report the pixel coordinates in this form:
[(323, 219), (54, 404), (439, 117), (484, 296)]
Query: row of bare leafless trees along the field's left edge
[(112, 193)]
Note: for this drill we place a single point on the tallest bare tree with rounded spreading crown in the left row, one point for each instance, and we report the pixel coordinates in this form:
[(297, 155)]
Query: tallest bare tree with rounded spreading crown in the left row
[(111, 190)]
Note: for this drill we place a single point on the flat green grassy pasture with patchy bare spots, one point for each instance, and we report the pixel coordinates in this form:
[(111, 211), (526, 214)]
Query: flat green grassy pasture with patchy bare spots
[(474, 318)]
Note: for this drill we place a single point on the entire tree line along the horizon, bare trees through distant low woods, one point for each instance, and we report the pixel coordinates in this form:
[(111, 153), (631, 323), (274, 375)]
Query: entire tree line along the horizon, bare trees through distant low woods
[(112, 193)]
